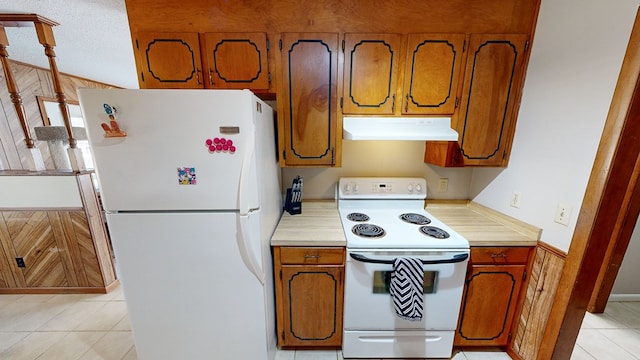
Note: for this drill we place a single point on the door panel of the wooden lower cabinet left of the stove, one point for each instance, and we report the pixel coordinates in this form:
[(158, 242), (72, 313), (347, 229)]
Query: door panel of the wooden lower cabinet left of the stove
[(313, 305)]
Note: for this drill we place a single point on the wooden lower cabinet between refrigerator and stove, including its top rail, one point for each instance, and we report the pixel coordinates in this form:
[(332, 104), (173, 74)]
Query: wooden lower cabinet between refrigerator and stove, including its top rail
[(309, 296)]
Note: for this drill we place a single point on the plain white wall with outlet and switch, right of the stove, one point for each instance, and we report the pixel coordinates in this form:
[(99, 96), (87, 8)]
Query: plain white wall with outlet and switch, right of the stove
[(574, 65)]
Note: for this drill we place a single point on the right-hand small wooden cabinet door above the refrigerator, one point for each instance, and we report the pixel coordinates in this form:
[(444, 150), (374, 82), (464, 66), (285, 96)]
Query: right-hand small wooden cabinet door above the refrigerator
[(236, 60)]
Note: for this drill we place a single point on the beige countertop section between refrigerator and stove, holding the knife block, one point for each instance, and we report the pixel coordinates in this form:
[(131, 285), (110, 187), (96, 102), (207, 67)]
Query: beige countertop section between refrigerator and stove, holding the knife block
[(318, 225)]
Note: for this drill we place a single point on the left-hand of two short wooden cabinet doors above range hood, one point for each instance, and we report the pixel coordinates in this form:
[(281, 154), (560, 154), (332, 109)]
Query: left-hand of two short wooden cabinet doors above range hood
[(371, 64)]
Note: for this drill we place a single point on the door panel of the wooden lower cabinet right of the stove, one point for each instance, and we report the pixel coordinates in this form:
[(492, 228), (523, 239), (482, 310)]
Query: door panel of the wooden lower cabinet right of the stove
[(488, 305)]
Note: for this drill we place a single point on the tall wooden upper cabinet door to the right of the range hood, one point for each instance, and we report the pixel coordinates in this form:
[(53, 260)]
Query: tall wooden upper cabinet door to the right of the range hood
[(491, 92)]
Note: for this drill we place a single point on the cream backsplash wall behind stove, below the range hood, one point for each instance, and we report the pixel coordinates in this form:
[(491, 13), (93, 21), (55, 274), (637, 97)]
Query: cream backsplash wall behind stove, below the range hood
[(381, 158)]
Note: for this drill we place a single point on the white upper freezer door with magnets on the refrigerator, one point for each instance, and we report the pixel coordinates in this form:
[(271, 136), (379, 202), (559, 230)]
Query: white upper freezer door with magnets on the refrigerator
[(164, 162)]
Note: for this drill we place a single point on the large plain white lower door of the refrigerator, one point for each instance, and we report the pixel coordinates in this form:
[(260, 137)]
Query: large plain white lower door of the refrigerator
[(188, 290)]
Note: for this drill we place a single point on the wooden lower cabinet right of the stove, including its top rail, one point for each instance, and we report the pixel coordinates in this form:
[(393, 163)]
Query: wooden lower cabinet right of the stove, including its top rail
[(492, 293)]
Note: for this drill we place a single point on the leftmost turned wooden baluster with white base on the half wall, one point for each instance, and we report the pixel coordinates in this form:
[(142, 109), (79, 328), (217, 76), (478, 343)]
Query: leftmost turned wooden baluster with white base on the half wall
[(16, 99)]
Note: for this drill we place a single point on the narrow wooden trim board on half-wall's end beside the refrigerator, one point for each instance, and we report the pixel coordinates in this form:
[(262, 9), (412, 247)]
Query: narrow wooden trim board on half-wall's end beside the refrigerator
[(99, 237)]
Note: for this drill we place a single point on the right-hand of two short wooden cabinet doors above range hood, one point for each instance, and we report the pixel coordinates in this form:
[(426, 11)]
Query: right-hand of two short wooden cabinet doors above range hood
[(432, 73)]
